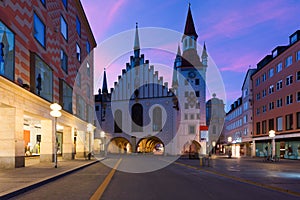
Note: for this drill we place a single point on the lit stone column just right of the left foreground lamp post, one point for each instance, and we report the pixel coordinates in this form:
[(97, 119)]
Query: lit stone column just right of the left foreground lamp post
[(67, 145)]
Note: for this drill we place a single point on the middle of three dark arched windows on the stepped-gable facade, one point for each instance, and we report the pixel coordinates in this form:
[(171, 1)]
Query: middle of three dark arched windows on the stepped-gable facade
[(137, 118)]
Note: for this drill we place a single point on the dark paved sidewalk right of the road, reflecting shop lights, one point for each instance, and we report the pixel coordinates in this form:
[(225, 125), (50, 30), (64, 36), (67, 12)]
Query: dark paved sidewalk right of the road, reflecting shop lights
[(281, 176)]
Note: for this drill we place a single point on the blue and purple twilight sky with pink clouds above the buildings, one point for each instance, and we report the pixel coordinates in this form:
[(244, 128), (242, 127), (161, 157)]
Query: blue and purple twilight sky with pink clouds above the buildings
[(237, 34)]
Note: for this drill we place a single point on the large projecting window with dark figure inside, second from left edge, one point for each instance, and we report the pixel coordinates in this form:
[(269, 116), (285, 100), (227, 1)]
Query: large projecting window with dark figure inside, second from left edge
[(41, 78)]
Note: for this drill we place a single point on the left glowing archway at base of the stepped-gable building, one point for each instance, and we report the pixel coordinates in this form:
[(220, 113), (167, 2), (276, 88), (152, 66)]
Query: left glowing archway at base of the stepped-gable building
[(119, 145)]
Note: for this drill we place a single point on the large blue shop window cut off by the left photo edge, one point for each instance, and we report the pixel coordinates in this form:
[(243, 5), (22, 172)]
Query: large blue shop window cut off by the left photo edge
[(7, 50)]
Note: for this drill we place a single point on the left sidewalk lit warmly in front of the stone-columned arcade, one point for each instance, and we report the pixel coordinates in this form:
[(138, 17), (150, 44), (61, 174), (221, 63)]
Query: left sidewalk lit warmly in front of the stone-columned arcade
[(17, 180)]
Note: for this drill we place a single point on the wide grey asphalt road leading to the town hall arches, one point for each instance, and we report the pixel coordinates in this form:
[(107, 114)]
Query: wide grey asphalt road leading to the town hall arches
[(174, 181)]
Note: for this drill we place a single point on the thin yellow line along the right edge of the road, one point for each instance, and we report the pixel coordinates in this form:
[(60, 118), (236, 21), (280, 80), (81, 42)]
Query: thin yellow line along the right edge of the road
[(242, 180)]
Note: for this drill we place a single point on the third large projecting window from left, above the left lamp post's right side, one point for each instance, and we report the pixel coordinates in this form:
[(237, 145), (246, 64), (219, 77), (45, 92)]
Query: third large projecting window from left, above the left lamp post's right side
[(65, 93)]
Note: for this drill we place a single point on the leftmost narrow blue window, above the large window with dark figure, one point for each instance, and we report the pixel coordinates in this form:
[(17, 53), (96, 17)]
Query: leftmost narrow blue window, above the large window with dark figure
[(39, 30)]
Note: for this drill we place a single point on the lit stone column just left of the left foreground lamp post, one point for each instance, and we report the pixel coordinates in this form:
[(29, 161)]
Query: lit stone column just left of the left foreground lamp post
[(47, 141)]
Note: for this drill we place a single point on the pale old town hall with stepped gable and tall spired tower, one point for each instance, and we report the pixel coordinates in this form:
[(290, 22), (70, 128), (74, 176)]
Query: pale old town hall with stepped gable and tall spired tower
[(142, 114)]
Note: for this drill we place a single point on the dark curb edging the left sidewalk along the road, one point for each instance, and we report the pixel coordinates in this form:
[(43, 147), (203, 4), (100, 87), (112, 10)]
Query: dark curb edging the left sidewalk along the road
[(44, 181)]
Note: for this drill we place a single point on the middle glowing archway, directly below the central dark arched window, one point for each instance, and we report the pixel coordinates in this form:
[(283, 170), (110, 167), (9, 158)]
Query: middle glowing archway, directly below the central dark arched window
[(151, 145)]
